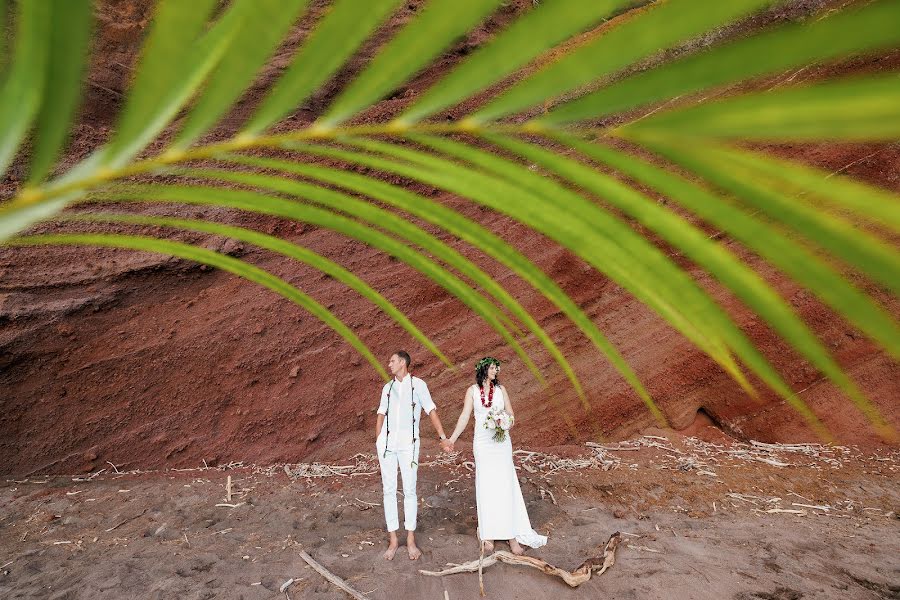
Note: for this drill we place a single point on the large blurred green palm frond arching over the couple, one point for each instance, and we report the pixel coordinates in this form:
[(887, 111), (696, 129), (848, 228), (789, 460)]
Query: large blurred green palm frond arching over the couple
[(577, 62)]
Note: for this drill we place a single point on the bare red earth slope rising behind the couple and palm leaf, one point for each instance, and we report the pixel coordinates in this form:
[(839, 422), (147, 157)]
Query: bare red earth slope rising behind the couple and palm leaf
[(147, 361)]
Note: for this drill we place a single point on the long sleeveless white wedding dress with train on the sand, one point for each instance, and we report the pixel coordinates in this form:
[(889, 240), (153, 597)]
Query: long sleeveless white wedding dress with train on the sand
[(501, 509)]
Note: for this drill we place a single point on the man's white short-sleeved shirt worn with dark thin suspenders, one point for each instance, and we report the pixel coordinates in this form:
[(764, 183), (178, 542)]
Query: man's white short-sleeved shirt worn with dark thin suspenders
[(403, 411)]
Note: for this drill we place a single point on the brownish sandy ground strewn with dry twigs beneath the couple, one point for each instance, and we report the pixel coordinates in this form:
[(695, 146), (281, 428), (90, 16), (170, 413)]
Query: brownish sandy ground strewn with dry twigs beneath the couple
[(700, 521)]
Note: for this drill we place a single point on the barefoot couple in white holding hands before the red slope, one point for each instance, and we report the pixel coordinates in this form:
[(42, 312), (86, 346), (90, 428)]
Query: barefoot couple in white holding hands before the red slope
[(500, 507)]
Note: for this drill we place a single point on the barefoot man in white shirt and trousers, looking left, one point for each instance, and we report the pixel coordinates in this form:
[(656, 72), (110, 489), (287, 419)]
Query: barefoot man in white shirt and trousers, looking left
[(397, 429)]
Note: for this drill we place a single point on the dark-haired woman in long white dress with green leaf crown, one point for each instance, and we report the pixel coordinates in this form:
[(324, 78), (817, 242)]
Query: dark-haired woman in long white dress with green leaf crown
[(501, 509)]
